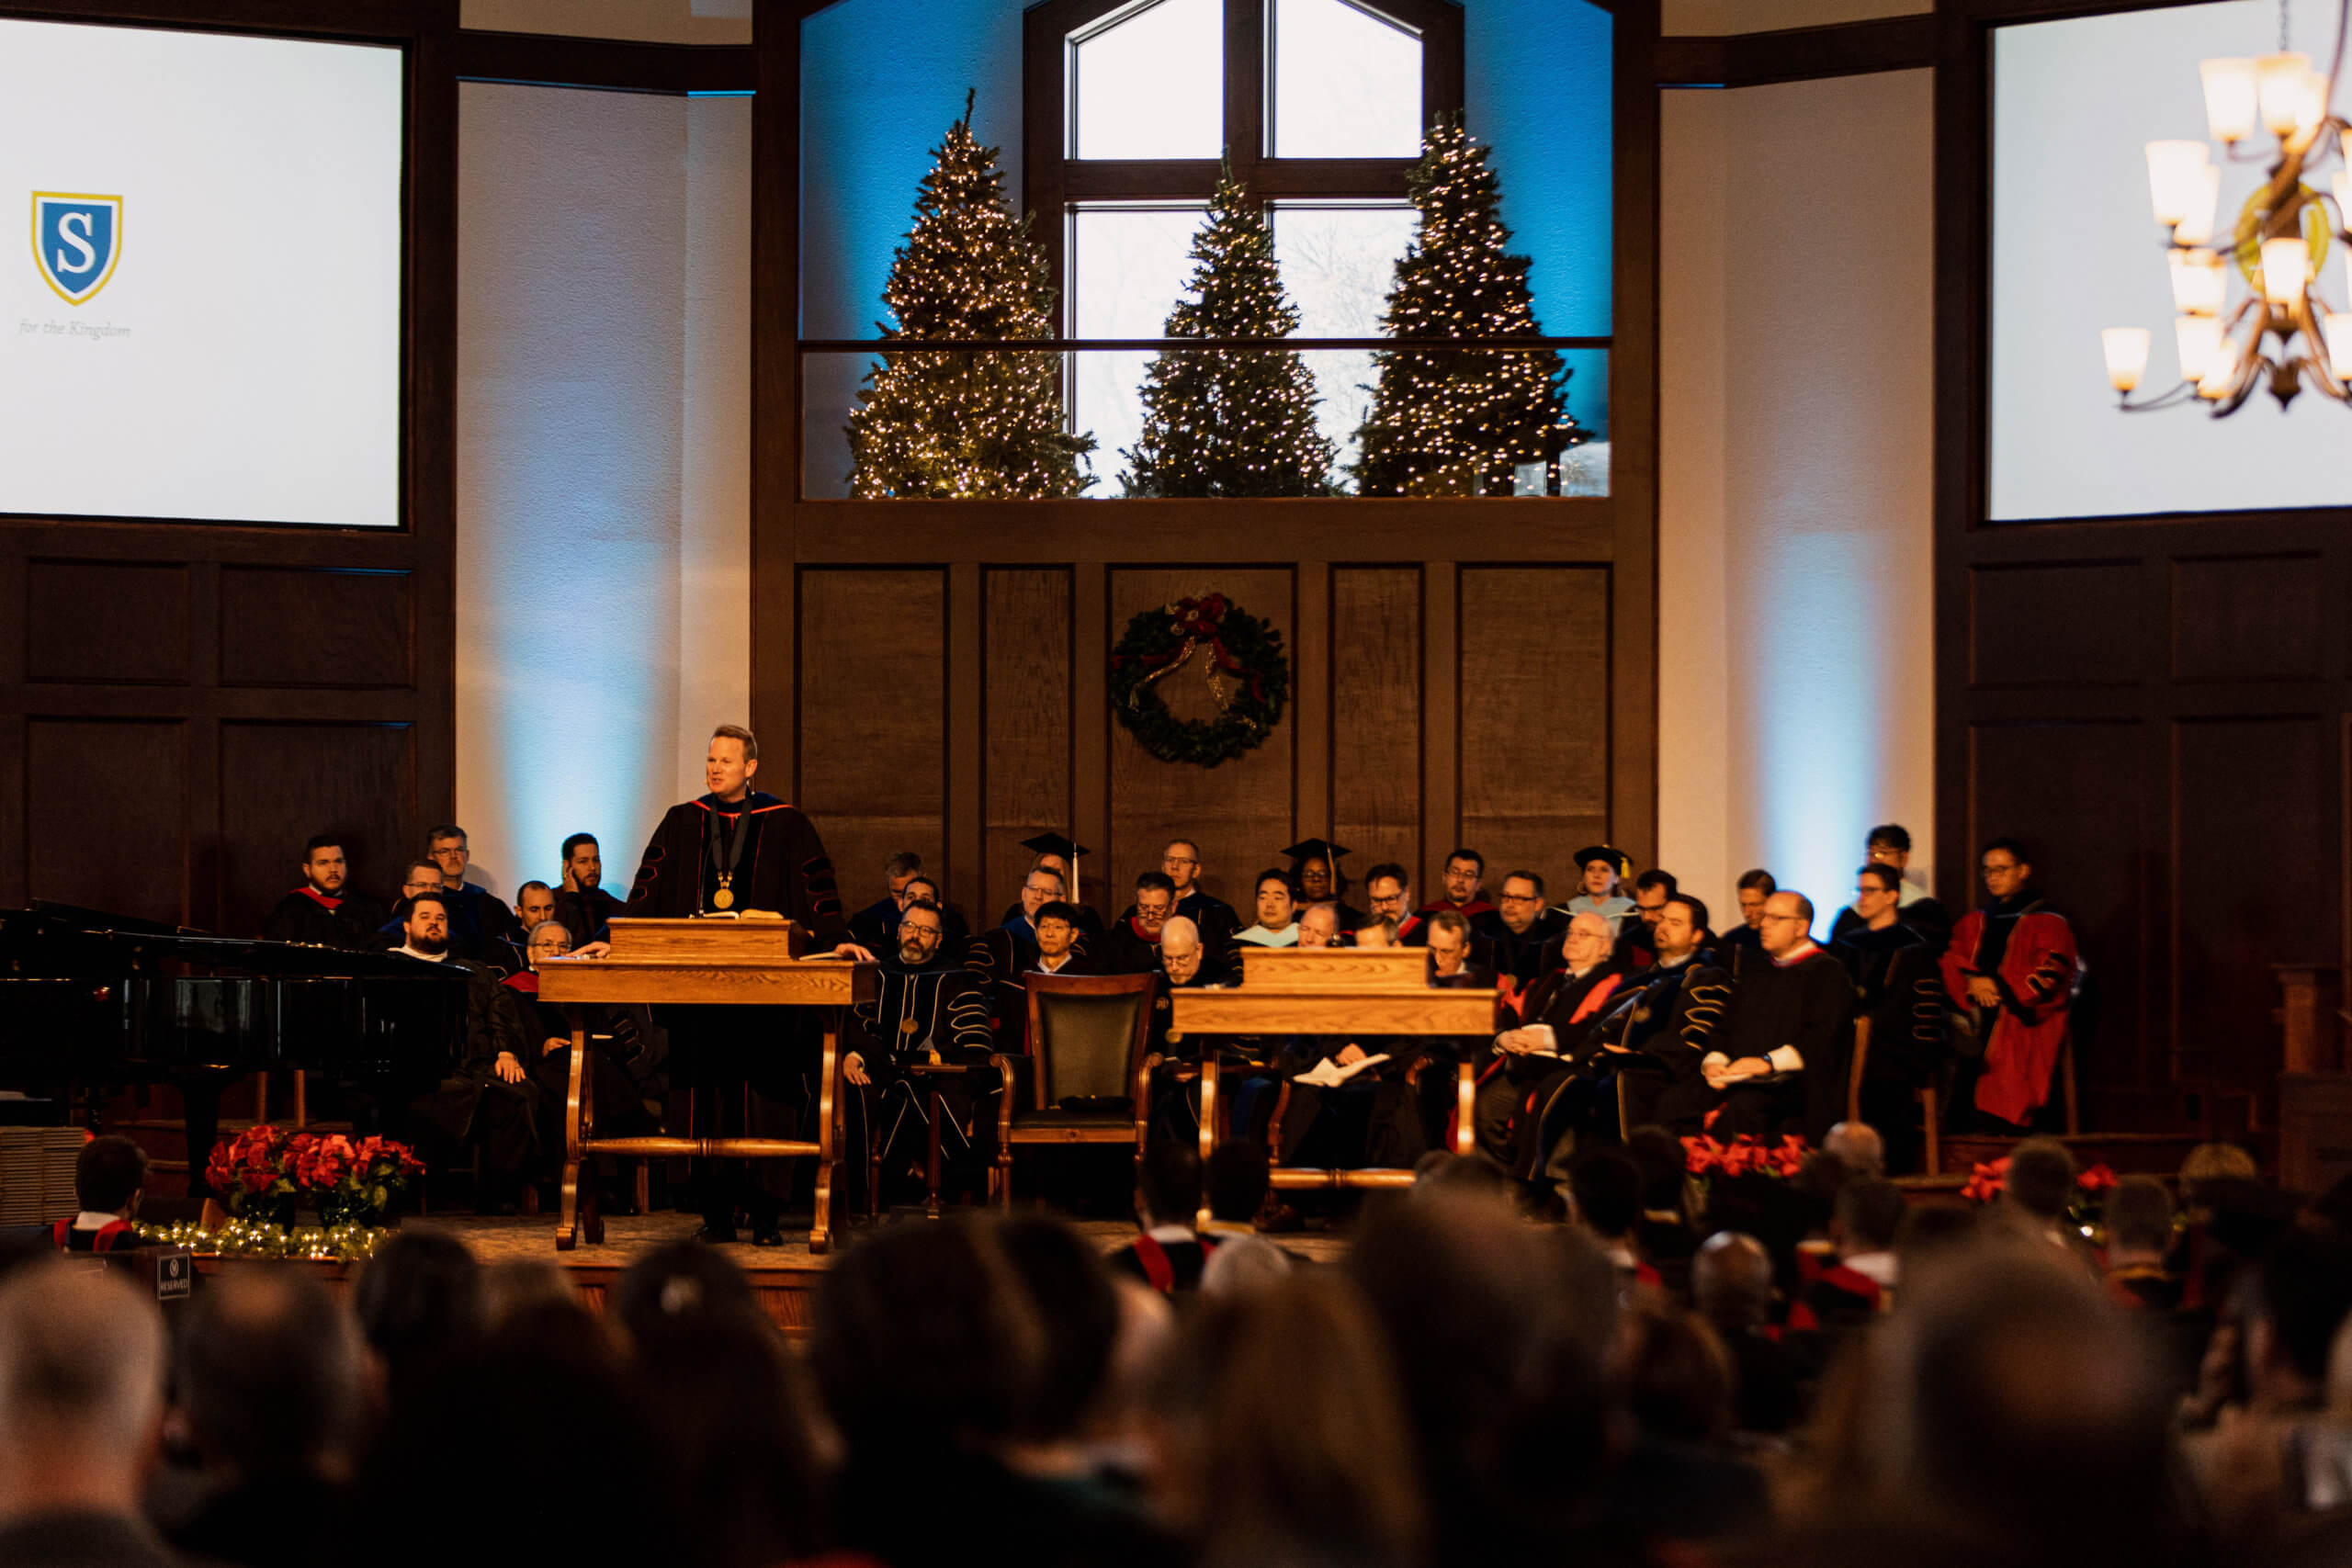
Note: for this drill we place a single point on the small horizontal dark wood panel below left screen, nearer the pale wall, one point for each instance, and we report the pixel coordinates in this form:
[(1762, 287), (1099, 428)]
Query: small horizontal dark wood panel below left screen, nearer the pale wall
[(307, 626)]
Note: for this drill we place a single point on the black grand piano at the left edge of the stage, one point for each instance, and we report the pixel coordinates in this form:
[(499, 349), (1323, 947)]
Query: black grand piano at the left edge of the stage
[(93, 1000)]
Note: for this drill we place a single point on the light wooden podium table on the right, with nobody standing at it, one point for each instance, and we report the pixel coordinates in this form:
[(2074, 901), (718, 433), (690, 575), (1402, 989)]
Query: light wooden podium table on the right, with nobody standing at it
[(1335, 991)]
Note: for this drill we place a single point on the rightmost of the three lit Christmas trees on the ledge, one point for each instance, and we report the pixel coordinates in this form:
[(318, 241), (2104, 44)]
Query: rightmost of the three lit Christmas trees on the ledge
[(1455, 422)]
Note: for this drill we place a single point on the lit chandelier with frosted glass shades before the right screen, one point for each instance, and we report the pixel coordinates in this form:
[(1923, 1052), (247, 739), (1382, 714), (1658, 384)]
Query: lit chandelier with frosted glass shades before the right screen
[(2280, 333)]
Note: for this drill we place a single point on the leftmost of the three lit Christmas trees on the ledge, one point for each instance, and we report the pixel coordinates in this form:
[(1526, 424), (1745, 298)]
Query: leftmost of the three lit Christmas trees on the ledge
[(968, 427)]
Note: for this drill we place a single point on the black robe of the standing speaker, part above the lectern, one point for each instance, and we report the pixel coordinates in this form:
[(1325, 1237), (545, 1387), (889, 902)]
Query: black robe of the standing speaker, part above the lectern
[(782, 866)]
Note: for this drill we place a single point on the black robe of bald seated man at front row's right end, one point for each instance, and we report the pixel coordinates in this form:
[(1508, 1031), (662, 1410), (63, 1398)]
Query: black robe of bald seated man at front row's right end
[(1808, 1005)]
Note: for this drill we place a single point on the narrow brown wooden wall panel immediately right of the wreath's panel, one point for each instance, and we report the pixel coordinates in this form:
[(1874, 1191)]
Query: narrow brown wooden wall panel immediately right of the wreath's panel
[(1377, 711)]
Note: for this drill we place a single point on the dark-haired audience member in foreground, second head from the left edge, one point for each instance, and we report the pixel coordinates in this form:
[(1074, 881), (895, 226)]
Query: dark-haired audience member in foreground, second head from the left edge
[(272, 1395)]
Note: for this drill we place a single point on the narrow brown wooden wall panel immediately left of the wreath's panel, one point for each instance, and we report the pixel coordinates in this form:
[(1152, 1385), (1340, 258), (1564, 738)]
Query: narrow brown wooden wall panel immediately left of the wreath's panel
[(1027, 697)]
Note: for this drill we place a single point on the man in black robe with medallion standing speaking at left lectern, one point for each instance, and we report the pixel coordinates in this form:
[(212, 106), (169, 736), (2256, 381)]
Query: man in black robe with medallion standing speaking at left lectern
[(723, 855)]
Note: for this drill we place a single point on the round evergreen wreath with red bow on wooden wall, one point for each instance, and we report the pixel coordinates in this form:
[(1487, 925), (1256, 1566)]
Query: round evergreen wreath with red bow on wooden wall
[(1241, 657)]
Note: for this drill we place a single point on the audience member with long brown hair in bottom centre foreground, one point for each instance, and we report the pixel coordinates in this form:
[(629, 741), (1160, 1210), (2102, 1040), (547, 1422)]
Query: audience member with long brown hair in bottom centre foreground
[(1290, 1440)]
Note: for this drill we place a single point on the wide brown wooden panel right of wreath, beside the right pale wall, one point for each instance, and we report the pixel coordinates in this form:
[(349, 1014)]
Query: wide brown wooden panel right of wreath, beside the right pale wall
[(1535, 716)]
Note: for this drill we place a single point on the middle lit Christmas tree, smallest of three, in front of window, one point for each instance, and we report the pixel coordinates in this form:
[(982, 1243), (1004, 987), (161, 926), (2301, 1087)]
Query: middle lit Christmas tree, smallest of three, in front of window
[(1231, 422)]
